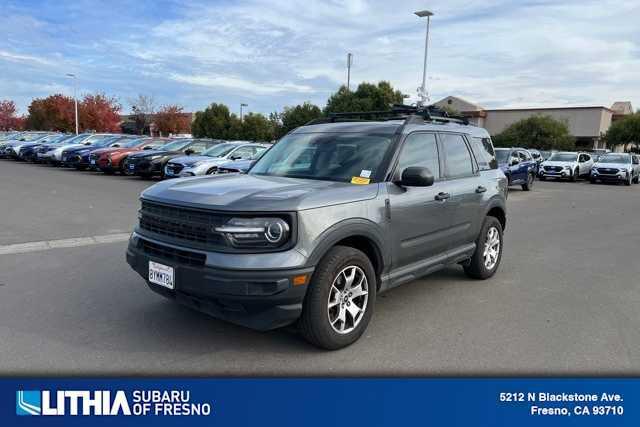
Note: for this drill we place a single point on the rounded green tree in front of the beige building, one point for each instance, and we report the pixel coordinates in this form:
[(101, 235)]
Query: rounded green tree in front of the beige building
[(541, 132)]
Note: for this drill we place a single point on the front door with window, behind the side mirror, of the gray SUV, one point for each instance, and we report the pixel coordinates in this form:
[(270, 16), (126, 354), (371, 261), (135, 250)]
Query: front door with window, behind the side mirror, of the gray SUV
[(420, 218)]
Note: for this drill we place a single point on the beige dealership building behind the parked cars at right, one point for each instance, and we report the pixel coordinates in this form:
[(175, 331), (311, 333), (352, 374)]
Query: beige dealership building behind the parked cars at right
[(586, 124)]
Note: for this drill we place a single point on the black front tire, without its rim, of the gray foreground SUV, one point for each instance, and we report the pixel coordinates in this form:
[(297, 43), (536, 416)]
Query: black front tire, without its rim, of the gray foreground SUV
[(314, 324)]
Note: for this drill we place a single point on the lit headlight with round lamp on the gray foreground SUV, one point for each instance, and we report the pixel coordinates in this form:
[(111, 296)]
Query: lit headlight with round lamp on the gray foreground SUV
[(255, 232)]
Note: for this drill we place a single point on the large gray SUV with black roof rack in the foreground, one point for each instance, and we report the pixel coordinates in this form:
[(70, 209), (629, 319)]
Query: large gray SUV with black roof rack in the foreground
[(332, 215)]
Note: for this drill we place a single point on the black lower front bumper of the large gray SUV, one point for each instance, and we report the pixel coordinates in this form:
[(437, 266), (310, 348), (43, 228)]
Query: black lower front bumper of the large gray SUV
[(258, 299)]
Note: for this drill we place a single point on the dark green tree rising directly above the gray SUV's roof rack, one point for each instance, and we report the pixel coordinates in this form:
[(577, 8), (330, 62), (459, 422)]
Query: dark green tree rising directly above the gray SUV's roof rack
[(367, 97)]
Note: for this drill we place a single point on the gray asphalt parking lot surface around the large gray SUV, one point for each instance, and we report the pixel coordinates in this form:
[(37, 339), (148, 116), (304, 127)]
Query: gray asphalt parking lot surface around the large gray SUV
[(565, 300)]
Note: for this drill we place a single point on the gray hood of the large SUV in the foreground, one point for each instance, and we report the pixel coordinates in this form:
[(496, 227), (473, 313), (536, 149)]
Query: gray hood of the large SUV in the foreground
[(255, 193)]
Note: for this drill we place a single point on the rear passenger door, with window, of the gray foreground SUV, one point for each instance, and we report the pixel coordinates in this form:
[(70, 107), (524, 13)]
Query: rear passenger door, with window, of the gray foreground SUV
[(461, 176)]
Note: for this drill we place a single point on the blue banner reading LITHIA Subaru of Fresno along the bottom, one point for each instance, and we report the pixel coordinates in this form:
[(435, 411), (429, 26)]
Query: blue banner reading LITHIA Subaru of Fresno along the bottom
[(321, 402)]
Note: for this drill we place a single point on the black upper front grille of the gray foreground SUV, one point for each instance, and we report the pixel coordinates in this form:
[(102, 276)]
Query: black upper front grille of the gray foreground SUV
[(181, 223)]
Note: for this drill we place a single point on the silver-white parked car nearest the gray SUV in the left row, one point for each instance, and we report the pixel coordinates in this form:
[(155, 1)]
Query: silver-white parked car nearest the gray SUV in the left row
[(207, 163)]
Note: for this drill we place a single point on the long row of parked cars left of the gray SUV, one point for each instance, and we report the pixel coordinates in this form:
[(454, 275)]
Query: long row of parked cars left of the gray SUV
[(132, 154)]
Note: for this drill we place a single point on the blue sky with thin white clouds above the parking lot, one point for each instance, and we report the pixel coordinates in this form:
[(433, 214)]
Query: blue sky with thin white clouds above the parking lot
[(273, 53)]
